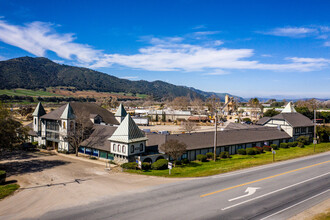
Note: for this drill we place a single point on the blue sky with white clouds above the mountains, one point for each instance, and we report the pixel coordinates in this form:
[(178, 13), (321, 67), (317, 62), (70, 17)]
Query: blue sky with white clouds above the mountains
[(245, 48)]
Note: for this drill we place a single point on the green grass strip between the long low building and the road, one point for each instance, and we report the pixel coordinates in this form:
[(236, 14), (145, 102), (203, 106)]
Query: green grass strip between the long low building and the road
[(199, 169)]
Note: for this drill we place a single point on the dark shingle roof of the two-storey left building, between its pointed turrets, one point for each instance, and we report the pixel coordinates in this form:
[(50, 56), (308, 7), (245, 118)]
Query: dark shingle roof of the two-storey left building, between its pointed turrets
[(85, 110)]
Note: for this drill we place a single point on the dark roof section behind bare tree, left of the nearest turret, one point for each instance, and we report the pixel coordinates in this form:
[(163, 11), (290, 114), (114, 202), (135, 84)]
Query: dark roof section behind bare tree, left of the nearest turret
[(99, 138)]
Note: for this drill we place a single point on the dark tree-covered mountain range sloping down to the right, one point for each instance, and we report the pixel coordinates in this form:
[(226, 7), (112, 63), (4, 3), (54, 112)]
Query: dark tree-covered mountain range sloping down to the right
[(40, 72)]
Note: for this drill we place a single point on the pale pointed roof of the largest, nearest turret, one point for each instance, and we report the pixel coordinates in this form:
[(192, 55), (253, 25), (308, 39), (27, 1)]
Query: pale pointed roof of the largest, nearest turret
[(128, 132)]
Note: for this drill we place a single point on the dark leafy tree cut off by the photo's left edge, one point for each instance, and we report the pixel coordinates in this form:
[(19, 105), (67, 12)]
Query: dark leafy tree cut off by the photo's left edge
[(12, 132)]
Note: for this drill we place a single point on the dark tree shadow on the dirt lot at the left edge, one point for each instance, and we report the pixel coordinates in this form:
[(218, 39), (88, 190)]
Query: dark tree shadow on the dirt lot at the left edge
[(30, 166)]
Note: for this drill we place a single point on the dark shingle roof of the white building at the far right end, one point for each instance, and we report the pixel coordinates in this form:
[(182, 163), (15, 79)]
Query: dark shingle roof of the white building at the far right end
[(295, 119)]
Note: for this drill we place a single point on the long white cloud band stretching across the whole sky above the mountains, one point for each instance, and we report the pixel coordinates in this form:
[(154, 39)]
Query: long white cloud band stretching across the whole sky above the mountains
[(163, 54)]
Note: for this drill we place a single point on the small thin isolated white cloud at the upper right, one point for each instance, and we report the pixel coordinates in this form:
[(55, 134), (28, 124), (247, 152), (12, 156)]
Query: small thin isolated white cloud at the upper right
[(292, 31)]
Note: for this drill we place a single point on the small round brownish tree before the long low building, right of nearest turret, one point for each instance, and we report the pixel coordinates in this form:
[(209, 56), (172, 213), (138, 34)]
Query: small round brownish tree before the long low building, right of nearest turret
[(173, 148)]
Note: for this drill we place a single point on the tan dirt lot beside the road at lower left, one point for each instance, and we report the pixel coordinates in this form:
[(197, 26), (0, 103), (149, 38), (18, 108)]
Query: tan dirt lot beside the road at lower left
[(50, 182)]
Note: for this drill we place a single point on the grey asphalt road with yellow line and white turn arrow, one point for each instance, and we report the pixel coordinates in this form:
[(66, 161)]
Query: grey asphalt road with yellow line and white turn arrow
[(278, 191)]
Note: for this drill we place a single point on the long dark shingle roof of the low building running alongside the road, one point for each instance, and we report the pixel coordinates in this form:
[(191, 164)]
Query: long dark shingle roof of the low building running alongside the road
[(224, 138)]
